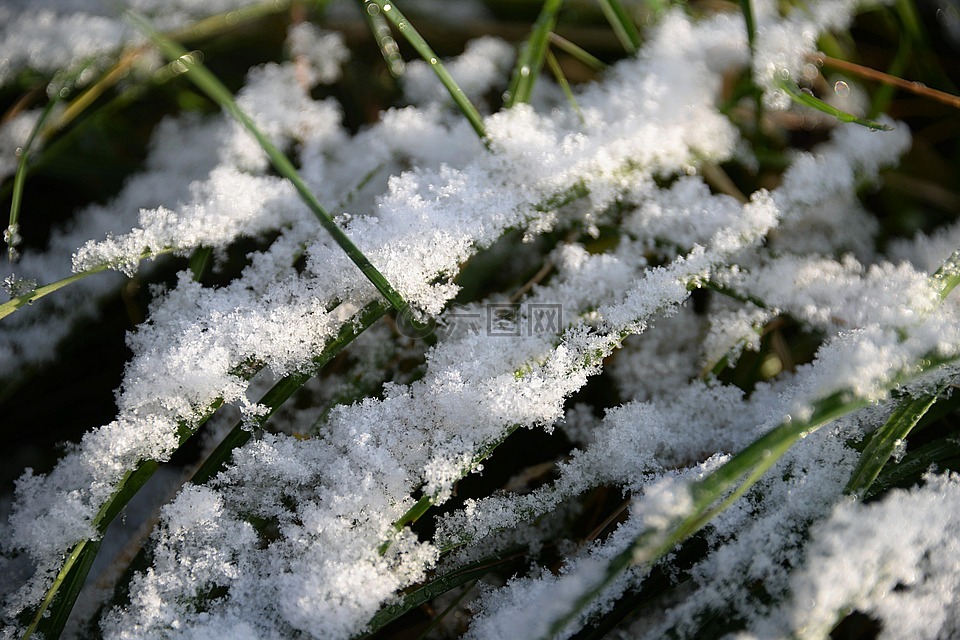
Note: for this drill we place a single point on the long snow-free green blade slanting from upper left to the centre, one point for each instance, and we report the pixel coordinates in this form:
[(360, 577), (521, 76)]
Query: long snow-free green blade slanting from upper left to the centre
[(209, 84)]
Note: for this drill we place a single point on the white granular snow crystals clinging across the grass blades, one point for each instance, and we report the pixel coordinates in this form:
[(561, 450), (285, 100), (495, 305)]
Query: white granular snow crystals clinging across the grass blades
[(297, 535)]
